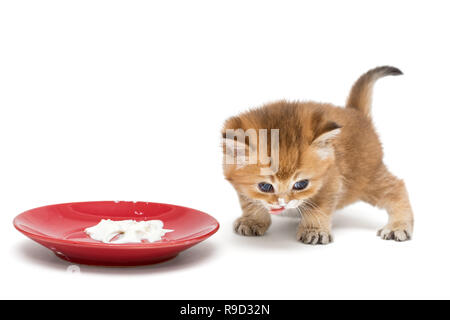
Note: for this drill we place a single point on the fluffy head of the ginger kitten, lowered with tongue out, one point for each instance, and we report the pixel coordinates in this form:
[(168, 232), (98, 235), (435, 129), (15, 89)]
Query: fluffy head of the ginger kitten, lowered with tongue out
[(305, 152)]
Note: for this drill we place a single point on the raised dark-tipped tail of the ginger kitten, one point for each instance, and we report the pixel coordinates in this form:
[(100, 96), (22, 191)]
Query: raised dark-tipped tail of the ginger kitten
[(360, 97)]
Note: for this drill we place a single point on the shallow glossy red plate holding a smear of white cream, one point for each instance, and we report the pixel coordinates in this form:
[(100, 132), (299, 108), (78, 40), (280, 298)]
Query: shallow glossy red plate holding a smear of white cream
[(61, 227)]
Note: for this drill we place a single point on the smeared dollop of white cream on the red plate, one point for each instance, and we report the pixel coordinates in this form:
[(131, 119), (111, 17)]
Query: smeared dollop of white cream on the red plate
[(127, 231)]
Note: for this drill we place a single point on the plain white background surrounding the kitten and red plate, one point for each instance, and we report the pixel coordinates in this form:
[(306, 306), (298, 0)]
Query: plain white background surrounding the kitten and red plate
[(106, 100)]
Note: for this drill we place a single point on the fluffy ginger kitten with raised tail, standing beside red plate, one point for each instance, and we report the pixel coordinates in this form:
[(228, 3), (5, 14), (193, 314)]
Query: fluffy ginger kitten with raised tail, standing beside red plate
[(326, 158)]
